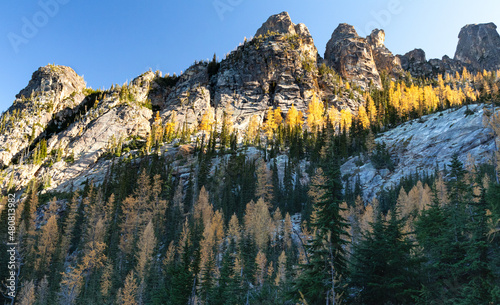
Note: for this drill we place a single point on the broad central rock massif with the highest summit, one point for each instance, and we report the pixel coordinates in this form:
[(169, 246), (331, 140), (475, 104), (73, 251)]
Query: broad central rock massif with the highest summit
[(277, 68)]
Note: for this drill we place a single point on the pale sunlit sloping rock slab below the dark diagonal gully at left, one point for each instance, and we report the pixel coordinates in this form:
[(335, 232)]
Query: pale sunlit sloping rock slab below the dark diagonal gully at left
[(114, 120)]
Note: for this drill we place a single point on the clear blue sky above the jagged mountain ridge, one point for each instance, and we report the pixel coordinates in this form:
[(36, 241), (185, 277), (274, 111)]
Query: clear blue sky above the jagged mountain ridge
[(113, 41)]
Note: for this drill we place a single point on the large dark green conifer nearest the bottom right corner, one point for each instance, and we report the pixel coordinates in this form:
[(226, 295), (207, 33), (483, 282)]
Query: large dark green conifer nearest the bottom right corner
[(454, 241)]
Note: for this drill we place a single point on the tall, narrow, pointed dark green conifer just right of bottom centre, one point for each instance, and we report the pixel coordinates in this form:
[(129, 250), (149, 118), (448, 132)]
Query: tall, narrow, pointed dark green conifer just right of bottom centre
[(322, 278)]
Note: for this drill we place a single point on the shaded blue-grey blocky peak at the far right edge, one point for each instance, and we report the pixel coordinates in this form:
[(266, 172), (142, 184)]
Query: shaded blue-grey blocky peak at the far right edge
[(479, 46)]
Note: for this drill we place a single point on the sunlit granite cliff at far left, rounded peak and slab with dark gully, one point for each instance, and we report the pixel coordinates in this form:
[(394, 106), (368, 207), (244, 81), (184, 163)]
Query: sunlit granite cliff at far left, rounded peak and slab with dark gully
[(77, 123)]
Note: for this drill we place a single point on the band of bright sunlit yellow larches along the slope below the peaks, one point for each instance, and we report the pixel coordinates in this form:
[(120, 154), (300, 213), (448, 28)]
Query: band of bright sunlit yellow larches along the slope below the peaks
[(406, 99)]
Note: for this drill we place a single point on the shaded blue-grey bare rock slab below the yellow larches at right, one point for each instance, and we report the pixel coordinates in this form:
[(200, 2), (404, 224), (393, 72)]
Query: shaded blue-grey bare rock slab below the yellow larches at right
[(424, 145)]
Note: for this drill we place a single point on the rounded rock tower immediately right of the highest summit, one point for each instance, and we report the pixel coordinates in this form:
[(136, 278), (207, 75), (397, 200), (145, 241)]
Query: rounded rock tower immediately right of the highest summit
[(351, 56)]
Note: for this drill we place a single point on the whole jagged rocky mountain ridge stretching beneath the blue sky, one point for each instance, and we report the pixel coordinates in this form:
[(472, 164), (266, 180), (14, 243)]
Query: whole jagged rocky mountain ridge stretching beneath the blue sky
[(279, 68)]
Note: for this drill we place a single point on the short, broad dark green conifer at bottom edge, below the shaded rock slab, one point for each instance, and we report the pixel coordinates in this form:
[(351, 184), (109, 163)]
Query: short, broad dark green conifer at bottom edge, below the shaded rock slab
[(384, 269)]
